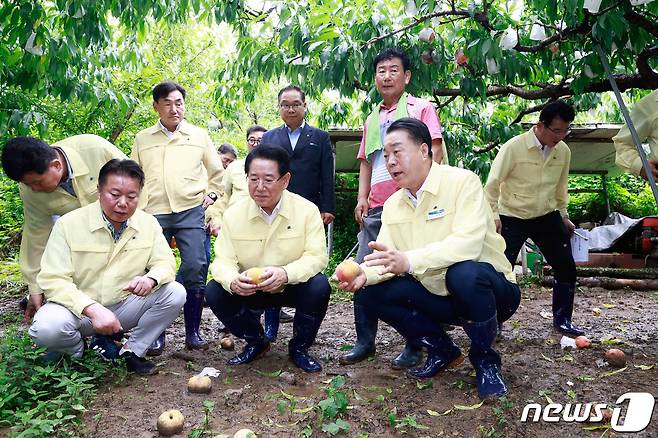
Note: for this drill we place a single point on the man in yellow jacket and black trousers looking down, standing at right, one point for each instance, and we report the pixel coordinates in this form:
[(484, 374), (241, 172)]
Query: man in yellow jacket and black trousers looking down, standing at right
[(527, 191)]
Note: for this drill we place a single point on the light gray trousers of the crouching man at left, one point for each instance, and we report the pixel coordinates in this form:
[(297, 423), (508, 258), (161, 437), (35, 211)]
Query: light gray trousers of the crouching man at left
[(58, 329)]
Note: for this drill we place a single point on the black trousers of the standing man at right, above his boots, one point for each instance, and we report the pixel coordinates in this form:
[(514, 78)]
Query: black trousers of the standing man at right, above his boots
[(551, 236)]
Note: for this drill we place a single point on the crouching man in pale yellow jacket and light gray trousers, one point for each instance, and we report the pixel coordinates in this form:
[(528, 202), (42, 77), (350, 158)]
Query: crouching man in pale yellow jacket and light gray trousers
[(108, 268)]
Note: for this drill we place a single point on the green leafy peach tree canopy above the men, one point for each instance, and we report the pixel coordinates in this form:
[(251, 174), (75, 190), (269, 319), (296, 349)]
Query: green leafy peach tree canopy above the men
[(485, 64)]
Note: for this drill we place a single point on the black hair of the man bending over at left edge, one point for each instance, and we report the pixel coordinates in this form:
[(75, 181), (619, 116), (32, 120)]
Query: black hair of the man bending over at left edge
[(21, 155)]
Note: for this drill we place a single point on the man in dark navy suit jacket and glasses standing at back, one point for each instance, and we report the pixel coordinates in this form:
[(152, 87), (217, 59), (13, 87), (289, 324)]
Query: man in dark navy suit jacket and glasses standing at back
[(311, 166)]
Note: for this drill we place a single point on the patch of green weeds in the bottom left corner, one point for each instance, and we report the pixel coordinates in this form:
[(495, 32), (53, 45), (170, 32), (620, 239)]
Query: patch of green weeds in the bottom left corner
[(38, 399)]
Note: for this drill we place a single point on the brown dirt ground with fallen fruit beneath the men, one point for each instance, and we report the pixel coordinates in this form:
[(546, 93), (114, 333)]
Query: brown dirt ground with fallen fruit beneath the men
[(384, 402)]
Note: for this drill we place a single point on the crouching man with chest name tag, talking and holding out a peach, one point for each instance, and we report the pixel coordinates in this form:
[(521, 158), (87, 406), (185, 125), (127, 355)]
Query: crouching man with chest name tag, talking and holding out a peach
[(437, 260)]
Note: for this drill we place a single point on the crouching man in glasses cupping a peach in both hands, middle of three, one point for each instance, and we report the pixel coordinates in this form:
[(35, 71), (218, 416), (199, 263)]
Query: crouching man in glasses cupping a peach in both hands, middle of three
[(270, 252)]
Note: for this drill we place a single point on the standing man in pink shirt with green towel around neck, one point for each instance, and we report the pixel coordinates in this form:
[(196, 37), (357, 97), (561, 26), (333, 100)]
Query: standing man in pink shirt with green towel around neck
[(392, 75)]
